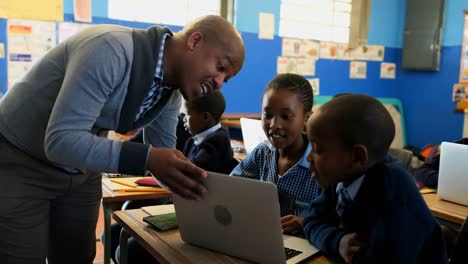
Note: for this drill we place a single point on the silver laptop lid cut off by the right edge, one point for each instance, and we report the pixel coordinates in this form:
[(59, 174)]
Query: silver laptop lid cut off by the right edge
[(453, 173)]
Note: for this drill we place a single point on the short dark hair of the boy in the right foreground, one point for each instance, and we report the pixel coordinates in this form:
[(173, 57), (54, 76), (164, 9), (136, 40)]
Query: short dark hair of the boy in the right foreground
[(361, 119)]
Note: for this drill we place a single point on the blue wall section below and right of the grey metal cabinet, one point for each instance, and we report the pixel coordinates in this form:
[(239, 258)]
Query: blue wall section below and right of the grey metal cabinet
[(427, 96)]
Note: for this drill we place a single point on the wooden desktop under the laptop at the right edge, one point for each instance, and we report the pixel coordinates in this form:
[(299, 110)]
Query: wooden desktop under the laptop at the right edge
[(452, 212)]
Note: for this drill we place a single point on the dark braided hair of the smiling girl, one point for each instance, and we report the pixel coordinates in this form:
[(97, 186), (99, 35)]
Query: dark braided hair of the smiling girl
[(296, 84)]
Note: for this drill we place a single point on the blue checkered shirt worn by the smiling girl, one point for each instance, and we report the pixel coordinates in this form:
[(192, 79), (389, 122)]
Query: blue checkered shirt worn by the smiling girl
[(296, 188)]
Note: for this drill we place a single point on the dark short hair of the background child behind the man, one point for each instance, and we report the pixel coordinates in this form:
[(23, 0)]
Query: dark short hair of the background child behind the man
[(213, 103)]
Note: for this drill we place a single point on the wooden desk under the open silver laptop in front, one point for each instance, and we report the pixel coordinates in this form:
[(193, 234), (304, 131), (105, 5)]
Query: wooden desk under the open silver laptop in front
[(168, 247)]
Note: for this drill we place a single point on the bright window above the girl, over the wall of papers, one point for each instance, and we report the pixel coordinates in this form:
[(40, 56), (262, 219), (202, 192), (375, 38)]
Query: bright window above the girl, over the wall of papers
[(325, 20)]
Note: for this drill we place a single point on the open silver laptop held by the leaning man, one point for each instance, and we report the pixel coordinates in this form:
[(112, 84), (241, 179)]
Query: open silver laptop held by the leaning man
[(239, 217)]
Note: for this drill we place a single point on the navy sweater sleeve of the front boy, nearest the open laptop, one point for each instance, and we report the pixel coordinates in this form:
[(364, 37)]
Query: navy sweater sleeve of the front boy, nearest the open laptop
[(321, 224)]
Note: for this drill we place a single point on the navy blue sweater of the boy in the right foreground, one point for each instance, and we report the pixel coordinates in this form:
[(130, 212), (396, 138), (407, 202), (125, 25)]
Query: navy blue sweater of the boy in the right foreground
[(388, 213)]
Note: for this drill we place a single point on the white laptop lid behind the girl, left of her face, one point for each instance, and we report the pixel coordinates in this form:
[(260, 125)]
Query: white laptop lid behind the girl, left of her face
[(252, 133)]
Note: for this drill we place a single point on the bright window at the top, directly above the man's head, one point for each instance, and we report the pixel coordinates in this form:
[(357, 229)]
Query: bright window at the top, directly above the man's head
[(173, 12)]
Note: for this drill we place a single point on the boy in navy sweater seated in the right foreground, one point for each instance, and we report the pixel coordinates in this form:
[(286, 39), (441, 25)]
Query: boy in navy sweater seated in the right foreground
[(370, 210)]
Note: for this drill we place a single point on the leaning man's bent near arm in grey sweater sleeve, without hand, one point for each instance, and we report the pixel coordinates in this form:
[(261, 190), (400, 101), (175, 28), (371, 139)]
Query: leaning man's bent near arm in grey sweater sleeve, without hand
[(92, 73)]
